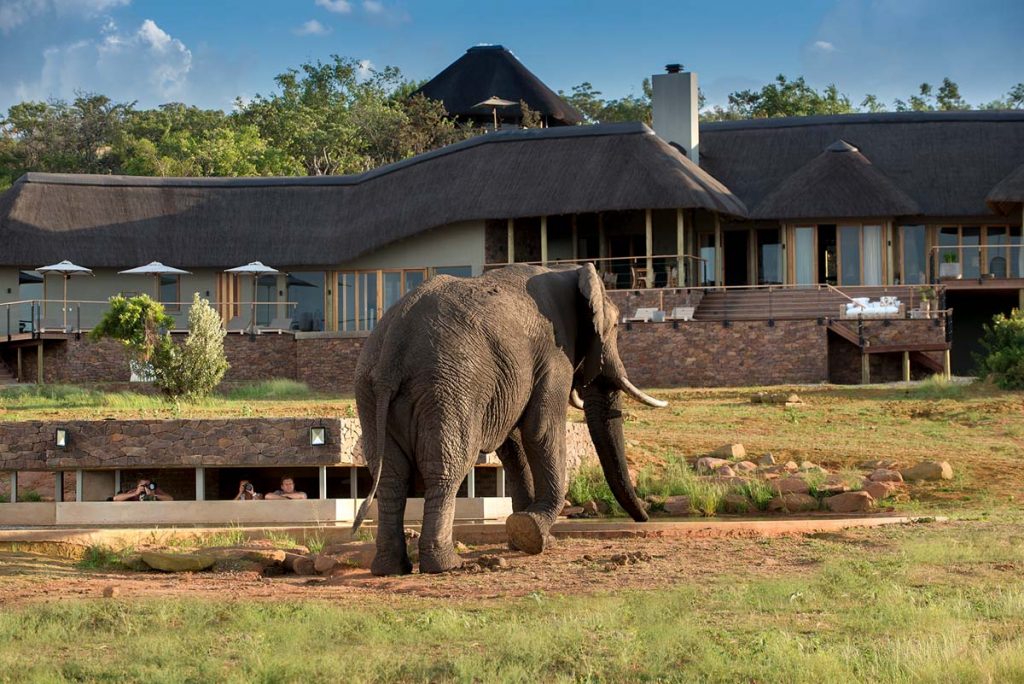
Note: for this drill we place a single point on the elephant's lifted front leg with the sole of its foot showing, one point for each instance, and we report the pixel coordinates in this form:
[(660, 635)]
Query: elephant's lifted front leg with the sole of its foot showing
[(543, 432)]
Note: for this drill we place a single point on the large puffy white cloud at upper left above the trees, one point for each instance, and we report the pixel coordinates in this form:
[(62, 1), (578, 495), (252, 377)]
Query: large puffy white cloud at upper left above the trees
[(148, 65)]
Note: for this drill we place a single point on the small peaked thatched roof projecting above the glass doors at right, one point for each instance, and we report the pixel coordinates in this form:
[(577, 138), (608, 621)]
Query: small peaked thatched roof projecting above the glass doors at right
[(838, 184)]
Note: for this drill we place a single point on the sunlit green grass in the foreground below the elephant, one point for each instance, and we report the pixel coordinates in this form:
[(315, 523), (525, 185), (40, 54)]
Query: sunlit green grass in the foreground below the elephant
[(928, 604)]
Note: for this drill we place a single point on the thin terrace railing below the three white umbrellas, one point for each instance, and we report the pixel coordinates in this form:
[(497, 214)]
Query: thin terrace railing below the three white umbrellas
[(32, 318)]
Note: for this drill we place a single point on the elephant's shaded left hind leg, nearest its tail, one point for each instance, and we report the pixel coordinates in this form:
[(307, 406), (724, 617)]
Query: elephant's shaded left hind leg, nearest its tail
[(393, 558)]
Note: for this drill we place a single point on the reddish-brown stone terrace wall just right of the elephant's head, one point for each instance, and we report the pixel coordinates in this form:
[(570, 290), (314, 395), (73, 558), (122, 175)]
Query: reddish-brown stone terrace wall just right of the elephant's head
[(709, 355)]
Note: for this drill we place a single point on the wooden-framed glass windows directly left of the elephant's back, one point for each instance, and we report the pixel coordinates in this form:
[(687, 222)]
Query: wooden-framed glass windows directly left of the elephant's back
[(365, 295)]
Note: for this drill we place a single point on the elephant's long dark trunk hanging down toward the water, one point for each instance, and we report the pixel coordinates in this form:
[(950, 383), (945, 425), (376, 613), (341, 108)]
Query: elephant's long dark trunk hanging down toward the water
[(605, 419)]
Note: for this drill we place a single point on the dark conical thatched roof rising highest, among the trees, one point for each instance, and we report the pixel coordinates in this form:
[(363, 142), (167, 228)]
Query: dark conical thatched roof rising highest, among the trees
[(488, 71)]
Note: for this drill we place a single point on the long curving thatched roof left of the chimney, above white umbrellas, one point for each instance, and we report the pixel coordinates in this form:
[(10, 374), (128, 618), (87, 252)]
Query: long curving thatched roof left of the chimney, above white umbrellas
[(120, 222)]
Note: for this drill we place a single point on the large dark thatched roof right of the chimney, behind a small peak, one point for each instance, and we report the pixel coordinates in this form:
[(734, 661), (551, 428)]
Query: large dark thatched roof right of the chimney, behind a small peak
[(948, 162)]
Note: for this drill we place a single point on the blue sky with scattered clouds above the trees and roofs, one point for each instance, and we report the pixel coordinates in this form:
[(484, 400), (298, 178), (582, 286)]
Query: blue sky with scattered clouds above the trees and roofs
[(206, 53)]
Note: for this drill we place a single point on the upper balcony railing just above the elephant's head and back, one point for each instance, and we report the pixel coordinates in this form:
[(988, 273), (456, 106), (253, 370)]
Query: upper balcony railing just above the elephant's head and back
[(632, 273)]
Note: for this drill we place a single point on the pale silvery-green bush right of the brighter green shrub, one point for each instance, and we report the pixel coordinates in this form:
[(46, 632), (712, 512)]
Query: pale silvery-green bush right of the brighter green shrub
[(193, 370)]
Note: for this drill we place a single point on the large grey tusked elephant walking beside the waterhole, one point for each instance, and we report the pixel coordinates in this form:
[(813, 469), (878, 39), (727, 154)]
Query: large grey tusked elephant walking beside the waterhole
[(460, 367)]
